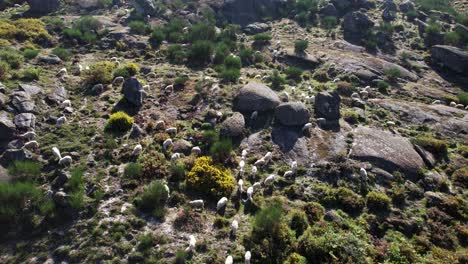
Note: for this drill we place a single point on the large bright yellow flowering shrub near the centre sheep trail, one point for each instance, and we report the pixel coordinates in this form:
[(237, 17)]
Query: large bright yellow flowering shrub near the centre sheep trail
[(208, 178)]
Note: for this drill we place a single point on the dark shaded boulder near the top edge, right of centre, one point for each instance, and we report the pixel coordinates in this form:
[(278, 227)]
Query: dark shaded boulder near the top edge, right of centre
[(356, 26)]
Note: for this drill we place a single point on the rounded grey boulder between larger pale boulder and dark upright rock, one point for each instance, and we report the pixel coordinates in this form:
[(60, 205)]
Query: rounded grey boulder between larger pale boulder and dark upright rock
[(292, 114)]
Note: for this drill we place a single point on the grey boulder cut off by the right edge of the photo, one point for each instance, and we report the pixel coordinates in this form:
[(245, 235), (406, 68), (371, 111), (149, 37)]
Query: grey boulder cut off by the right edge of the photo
[(451, 57)]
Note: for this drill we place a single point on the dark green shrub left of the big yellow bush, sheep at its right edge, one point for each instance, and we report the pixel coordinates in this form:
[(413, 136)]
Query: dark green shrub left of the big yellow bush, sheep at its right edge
[(153, 199)]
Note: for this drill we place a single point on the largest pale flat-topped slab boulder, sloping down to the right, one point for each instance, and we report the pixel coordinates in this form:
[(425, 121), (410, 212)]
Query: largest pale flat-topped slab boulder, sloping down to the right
[(385, 150)]
